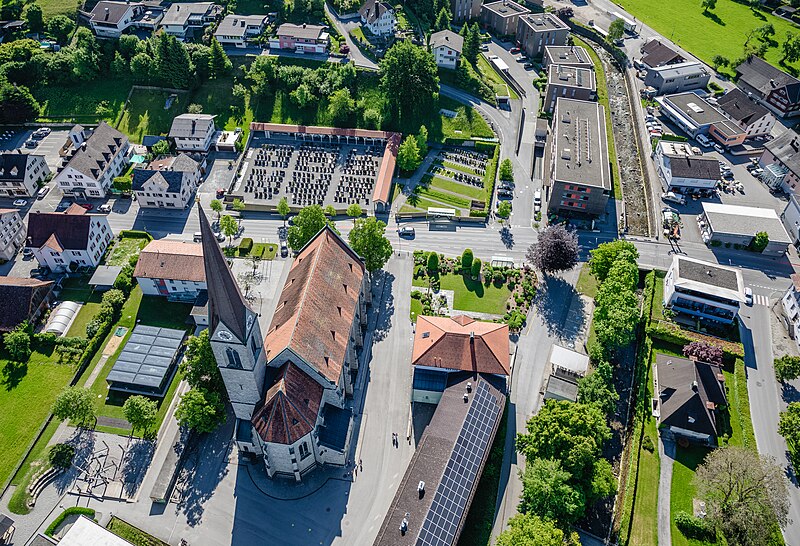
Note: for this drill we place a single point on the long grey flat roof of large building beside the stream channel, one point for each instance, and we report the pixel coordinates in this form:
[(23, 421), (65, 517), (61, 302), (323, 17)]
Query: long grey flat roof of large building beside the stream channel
[(580, 145)]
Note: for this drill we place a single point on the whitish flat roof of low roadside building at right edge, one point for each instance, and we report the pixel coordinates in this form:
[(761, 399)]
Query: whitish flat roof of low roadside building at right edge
[(739, 220)]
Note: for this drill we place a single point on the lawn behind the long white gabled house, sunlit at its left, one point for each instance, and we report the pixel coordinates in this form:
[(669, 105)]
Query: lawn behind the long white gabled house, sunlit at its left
[(145, 114)]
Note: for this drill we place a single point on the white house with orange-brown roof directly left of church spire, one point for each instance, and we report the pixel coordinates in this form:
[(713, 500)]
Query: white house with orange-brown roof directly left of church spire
[(171, 268)]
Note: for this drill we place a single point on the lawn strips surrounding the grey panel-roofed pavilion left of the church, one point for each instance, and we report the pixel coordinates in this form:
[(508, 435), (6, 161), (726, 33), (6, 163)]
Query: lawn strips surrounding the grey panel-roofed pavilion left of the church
[(147, 310)]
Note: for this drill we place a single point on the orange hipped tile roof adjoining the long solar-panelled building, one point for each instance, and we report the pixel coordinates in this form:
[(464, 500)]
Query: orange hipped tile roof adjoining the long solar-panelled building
[(461, 343)]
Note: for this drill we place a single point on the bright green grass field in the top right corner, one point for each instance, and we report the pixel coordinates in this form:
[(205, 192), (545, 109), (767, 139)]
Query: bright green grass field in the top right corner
[(722, 31)]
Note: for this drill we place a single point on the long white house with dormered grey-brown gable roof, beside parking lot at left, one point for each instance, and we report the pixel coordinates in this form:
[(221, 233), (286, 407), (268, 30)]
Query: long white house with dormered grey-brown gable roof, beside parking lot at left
[(94, 161)]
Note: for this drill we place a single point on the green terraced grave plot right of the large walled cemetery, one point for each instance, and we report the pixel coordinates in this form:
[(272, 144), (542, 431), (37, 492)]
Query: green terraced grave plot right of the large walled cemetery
[(454, 180)]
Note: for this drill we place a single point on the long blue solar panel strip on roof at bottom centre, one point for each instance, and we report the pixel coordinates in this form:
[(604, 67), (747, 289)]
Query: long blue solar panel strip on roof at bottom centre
[(450, 501)]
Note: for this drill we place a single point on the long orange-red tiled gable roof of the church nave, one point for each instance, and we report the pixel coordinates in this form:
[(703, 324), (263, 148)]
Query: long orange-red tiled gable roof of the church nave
[(318, 303)]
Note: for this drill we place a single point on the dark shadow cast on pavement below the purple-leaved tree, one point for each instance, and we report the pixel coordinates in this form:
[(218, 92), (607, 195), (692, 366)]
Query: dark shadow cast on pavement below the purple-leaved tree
[(553, 301)]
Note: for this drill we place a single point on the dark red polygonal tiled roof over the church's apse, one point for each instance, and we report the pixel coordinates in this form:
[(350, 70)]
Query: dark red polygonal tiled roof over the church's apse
[(290, 408)]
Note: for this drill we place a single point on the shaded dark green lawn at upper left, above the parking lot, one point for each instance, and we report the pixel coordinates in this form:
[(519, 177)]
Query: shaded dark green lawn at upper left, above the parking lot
[(80, 101)]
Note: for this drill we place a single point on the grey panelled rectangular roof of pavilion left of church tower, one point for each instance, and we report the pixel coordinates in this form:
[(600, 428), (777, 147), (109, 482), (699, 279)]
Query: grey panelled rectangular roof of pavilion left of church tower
[(147, 357)]
